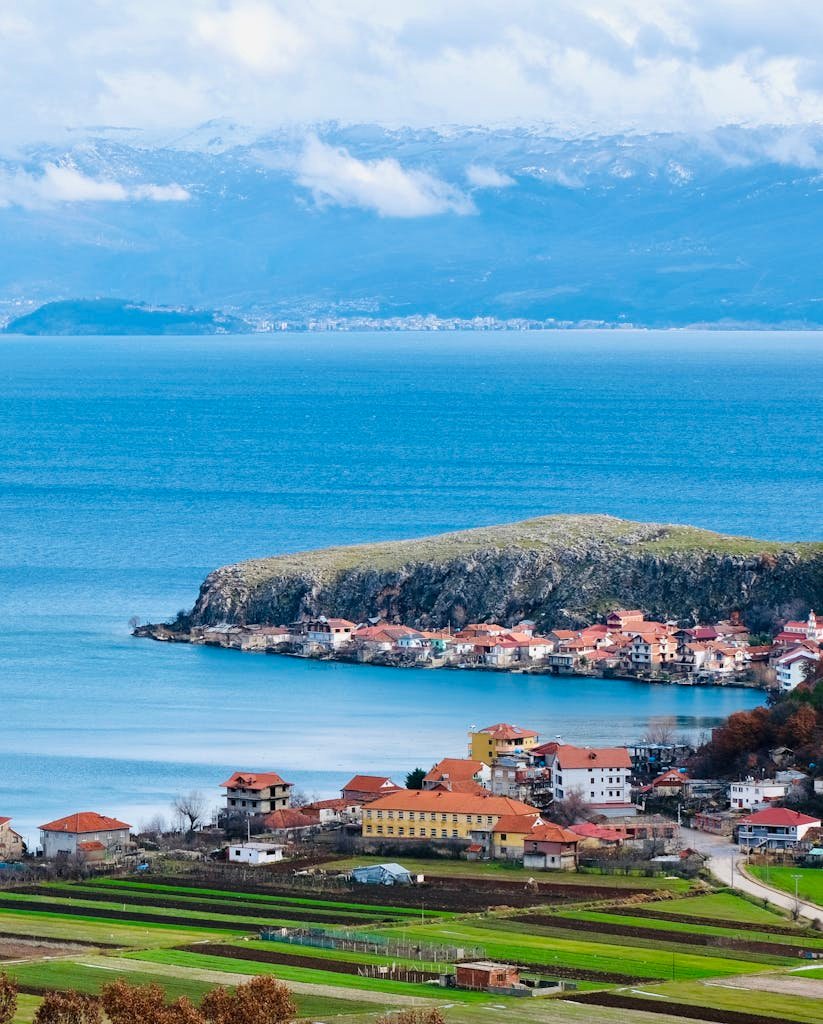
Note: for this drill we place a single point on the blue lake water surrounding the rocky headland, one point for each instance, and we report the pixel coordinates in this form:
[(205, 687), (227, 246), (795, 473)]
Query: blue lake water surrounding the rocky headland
[(132, 467)]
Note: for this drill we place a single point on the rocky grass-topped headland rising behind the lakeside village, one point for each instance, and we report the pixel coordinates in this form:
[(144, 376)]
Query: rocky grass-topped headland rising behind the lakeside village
[(559, 571)]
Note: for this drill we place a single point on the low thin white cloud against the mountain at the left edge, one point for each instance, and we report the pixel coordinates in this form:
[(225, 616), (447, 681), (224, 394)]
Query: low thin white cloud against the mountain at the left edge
[(61, 184)]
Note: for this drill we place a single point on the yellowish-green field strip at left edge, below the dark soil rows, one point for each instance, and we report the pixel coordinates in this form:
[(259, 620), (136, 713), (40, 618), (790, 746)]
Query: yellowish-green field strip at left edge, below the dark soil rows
[(72, 928)]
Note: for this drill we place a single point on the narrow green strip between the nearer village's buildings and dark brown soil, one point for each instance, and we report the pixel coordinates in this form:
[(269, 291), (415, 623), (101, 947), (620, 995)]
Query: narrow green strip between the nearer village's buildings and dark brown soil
[(501, 871)]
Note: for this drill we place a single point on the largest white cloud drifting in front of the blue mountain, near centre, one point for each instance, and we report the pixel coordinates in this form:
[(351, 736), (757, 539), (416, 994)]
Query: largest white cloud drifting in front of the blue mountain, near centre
[(335, 178)]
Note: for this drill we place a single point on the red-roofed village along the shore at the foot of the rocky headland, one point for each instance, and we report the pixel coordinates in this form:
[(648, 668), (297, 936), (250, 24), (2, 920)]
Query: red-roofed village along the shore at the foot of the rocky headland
[(625, 645)]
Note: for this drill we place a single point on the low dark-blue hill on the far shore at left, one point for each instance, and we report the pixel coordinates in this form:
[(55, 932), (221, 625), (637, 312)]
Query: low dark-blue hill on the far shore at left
[(114, 317)]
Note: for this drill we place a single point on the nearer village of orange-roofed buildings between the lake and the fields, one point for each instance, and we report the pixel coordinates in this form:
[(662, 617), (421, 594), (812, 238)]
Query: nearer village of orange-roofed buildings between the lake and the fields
[(546, 806)]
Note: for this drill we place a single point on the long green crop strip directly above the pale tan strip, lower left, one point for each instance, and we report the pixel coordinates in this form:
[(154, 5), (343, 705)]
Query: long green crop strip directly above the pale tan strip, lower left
[(310, 975)]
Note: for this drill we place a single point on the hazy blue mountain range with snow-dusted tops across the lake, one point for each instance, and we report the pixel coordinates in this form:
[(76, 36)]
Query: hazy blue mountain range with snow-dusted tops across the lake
[(663, 230)]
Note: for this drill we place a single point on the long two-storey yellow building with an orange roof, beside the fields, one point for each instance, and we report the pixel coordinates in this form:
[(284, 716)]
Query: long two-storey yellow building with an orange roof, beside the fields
[(417, 815)]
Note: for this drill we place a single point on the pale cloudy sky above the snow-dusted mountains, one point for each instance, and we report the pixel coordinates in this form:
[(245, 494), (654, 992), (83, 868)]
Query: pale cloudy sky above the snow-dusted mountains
[(580, 66)]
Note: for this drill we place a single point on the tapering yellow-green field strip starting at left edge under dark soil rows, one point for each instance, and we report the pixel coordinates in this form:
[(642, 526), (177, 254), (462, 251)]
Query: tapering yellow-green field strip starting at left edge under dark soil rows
[(35, 918)]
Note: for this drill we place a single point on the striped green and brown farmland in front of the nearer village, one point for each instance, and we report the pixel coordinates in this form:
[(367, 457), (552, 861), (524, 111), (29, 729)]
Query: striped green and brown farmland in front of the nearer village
[(641, 962)]
